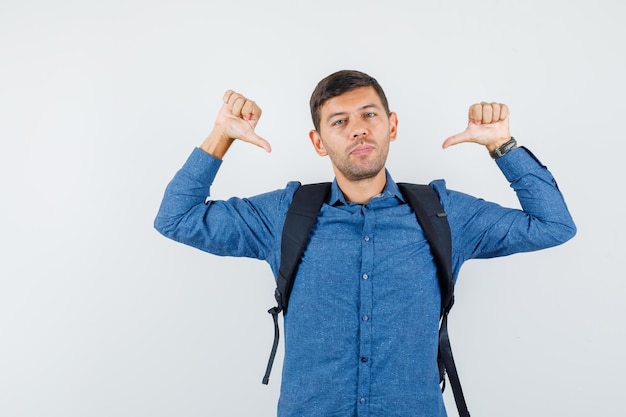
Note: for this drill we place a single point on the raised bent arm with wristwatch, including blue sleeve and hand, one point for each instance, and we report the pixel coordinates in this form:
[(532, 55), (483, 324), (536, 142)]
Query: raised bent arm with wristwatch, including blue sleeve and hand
[(483, 229)]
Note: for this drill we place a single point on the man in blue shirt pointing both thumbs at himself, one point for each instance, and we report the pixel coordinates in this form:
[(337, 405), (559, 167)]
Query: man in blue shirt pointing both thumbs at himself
[(361, 335)]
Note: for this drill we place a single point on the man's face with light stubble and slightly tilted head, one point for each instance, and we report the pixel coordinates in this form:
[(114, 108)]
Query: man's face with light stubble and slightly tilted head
[(355, 133)]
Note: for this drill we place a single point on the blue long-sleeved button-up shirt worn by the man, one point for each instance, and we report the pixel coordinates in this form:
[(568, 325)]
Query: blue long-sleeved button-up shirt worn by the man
[(361, 333)]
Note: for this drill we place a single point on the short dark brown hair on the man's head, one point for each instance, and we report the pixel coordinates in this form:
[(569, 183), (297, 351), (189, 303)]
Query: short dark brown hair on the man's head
[(338, 83)]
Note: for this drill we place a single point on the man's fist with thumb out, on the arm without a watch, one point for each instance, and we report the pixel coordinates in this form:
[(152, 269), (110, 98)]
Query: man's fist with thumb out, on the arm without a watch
[(236, 119)]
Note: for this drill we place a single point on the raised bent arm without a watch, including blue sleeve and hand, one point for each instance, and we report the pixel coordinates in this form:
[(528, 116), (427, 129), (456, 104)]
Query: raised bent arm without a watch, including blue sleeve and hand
[(234, 227)]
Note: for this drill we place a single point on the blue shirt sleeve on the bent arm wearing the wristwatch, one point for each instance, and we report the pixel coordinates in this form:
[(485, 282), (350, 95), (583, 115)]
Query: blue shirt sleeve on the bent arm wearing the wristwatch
[(482, 229)]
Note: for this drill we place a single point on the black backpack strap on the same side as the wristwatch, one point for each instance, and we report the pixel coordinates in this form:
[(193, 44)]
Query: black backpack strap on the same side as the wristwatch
[(432, 218)]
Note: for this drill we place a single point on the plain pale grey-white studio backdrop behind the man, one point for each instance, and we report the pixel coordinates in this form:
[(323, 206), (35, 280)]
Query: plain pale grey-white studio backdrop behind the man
[(101, 102)]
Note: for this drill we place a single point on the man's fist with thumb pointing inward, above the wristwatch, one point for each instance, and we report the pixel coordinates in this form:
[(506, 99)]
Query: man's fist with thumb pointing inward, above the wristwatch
[(488, 125)]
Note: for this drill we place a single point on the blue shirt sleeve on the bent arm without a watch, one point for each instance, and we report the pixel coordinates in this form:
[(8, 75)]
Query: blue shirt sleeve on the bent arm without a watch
[(244, 227)]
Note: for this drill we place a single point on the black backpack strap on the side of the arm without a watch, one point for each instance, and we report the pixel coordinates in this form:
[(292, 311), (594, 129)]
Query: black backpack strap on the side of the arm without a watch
[(301, 216)]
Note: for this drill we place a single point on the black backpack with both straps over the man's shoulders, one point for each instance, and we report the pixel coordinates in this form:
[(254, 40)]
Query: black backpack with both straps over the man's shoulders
[(424, 200)]
